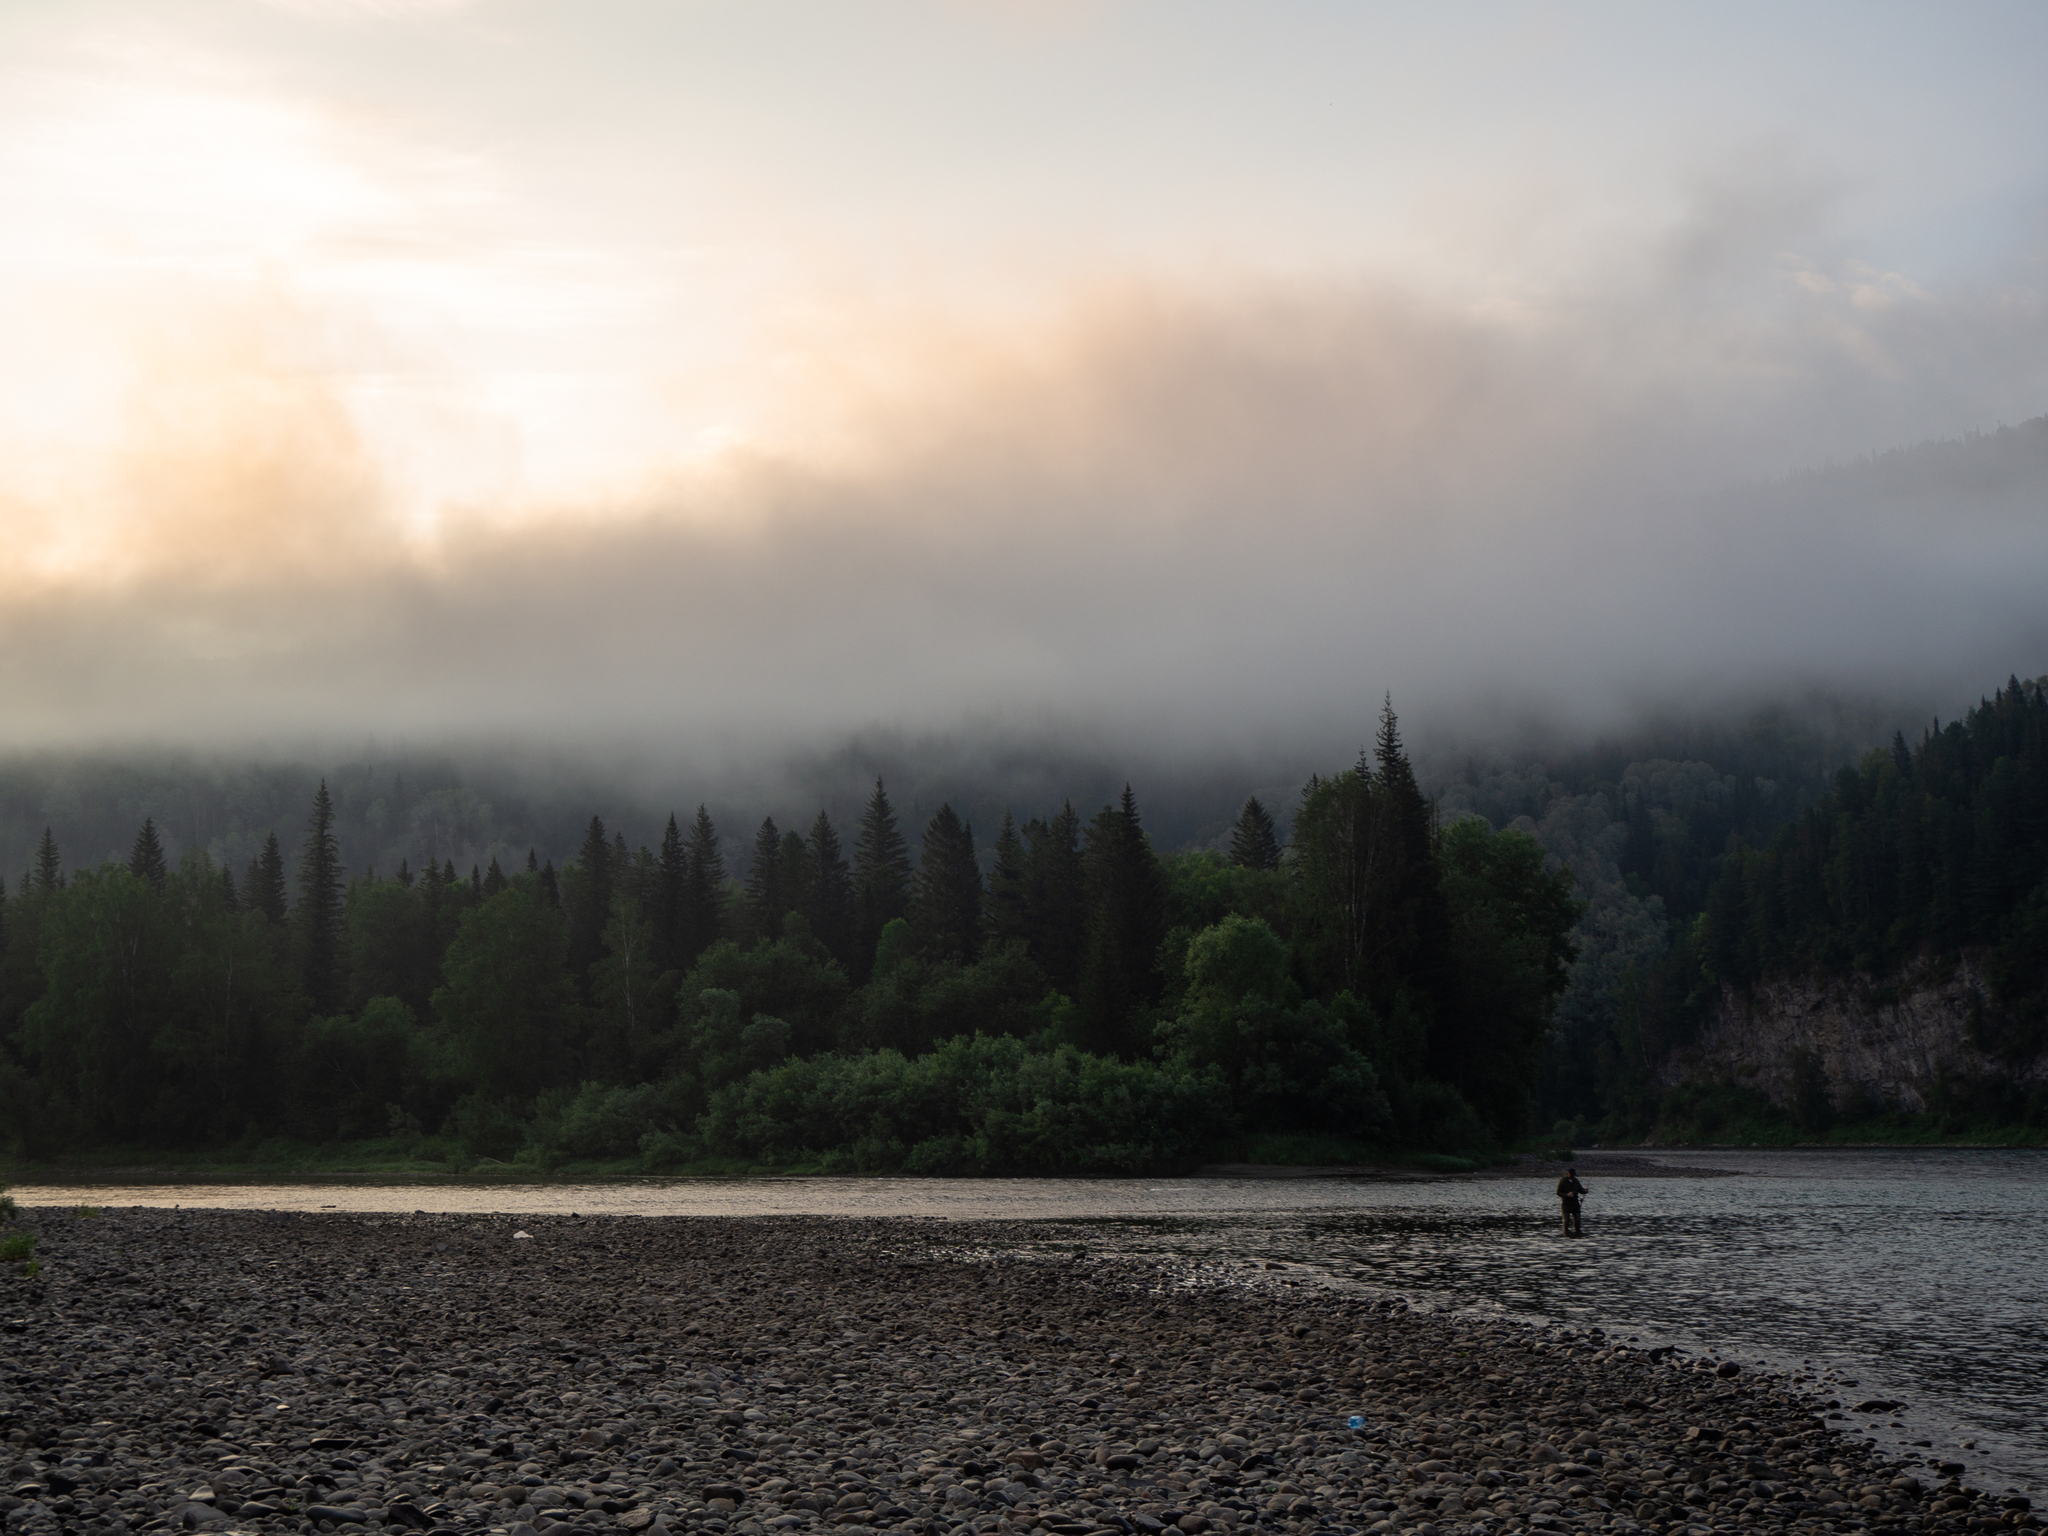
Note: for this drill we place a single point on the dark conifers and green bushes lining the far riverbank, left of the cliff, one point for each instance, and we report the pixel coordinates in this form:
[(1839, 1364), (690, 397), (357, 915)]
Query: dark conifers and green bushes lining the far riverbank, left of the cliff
[(1072, 1000)]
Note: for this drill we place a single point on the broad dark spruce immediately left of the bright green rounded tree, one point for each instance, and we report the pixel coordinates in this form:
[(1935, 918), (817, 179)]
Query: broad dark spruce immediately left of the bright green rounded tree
[(1127, 923)]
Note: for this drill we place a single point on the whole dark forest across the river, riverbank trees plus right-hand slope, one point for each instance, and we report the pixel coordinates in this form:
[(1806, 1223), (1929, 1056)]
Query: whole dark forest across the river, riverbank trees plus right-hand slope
[(1373, 968)]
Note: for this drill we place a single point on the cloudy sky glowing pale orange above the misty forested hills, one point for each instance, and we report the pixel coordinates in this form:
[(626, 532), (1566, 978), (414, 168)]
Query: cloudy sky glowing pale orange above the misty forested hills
[(730, 380)]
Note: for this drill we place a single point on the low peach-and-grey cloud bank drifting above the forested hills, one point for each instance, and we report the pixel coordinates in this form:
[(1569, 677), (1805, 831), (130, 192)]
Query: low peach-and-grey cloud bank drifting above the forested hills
[(1203, 521)]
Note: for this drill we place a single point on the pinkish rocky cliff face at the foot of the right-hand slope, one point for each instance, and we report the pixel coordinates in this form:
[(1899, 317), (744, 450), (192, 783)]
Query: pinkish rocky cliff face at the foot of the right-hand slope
[(1865, 1041)]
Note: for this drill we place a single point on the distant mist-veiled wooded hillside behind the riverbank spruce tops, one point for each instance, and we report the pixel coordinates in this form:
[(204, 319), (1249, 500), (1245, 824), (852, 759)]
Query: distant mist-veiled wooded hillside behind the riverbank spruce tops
[(468, 810)]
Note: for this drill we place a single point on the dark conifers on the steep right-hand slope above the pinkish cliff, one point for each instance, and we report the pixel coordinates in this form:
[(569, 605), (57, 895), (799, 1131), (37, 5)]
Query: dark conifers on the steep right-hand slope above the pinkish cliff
[(1922, 853)]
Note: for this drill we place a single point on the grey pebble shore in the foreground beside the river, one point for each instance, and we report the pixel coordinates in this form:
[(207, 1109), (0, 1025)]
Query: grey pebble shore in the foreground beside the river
[(265, 1373)]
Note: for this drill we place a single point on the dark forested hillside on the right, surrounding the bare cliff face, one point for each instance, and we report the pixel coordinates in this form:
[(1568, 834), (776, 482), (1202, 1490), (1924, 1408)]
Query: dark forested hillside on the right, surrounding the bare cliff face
[(1703, 886)]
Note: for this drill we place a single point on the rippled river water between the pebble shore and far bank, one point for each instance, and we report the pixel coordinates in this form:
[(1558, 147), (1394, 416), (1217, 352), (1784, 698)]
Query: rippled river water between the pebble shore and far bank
[(1912, 1275)]
